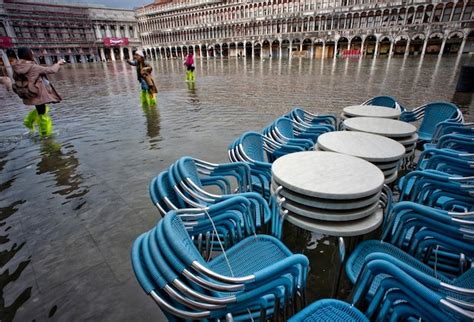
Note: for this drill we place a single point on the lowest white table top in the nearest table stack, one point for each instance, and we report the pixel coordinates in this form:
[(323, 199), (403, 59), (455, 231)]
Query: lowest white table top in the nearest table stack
[(338, 229)]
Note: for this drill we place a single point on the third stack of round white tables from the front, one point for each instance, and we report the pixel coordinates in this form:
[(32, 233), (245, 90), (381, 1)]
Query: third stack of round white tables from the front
[(402, 132)]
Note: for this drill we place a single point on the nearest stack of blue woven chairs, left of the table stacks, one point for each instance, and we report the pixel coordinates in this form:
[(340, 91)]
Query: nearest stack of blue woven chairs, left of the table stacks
[(256, 278)]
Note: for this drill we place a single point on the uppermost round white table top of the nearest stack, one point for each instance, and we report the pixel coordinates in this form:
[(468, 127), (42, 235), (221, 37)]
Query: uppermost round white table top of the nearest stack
[(327, 175)]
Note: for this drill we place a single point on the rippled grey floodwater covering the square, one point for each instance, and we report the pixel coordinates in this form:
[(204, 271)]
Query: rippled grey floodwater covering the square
[(71, 205)]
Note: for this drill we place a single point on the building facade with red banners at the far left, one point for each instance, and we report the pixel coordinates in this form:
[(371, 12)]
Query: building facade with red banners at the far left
[(72, 32)]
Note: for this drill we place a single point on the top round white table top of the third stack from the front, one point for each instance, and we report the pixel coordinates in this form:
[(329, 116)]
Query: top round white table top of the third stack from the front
[(385, 127)]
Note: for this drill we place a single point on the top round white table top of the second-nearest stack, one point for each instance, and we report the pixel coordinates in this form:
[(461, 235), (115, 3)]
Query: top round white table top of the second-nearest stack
[(370, 147)]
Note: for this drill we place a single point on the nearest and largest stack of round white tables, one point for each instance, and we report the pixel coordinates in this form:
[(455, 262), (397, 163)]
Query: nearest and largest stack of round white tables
[(329, 193)]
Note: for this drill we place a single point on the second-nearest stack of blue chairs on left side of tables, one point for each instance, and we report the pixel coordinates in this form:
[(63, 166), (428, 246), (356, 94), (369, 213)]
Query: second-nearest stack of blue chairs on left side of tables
[(187, 182)]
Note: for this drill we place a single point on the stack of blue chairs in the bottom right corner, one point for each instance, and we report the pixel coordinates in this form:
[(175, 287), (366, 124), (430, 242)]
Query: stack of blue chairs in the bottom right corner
[(398, 291)]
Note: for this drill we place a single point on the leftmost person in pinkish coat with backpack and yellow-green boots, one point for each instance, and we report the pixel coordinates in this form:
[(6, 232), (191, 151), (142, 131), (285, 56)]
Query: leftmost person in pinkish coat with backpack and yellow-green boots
[(33, 87)]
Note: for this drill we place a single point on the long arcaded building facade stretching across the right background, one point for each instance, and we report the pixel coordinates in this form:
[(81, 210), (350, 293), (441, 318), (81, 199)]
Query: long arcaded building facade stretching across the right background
[(306, 28)]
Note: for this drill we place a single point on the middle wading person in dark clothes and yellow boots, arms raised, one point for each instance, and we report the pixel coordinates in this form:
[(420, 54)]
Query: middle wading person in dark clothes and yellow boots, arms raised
[(148, 93)]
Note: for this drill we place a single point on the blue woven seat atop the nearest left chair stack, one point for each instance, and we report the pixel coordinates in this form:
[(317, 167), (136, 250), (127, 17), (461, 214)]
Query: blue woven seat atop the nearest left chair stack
[(264, 251)]
